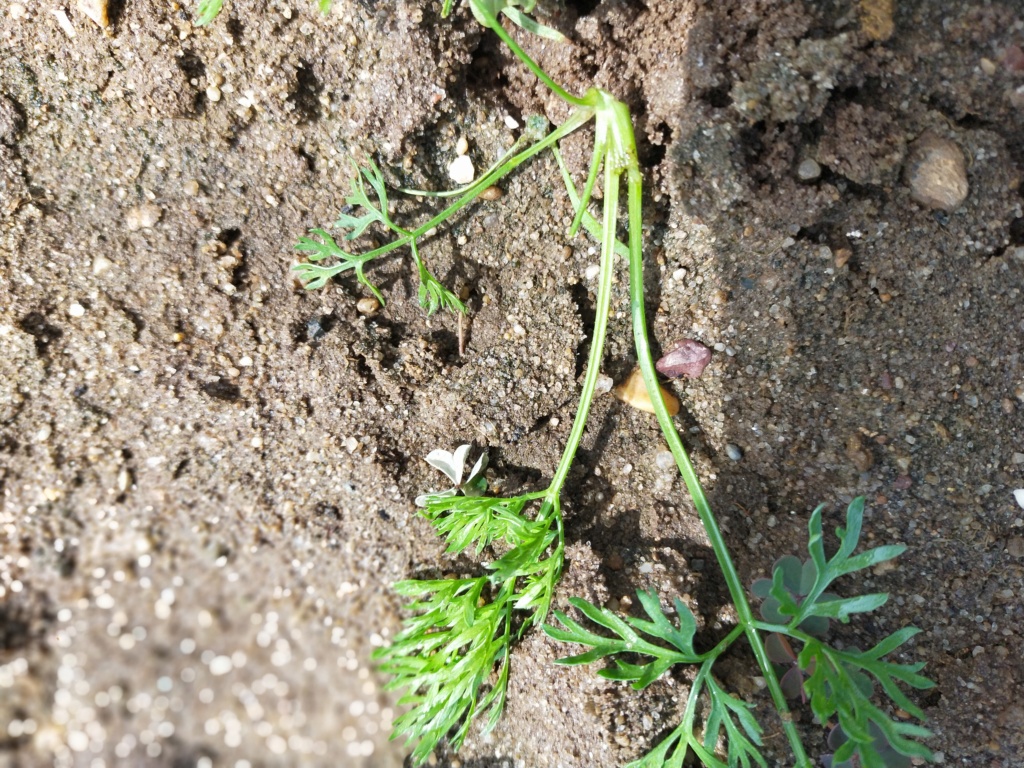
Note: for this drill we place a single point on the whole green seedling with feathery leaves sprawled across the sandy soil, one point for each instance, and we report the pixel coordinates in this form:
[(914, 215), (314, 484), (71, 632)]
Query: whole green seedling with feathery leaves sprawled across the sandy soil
[(453, 657)]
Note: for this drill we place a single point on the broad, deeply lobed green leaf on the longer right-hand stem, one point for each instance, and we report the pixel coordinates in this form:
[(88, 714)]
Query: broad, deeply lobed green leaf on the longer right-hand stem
[(837, 684)]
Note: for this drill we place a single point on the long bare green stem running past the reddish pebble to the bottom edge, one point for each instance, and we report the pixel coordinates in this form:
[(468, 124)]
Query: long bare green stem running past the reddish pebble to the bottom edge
[(744, 612)]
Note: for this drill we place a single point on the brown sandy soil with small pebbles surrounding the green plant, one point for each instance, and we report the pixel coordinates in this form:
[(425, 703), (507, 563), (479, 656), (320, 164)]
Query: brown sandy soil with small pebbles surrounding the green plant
[(207, 474)]
